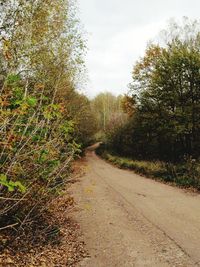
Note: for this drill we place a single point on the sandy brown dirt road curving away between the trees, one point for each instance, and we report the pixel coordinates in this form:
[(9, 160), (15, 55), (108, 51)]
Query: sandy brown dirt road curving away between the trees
[(128, 220)]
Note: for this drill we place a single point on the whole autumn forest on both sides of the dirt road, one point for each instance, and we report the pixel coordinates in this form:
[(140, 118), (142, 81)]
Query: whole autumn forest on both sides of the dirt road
[(46, 122)]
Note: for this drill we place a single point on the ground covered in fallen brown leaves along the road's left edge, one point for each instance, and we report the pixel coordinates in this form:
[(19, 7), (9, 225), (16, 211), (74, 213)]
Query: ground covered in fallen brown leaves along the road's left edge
[(63, 244)]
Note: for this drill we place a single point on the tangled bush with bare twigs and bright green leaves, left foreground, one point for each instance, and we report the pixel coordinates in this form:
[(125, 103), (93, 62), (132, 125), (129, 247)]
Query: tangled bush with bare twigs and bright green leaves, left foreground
[(36, 148)]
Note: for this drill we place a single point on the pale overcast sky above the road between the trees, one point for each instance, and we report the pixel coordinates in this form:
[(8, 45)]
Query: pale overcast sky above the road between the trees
[(118, 32)]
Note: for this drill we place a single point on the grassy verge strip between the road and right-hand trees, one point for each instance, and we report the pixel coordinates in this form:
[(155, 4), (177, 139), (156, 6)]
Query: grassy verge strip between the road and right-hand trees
[(186, 174)]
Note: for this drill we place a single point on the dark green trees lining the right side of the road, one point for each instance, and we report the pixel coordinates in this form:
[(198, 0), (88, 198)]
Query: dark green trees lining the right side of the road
[(164, 100)]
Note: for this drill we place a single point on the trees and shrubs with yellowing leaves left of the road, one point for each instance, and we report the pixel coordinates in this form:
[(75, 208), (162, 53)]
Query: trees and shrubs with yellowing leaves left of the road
[(44, 121)]
